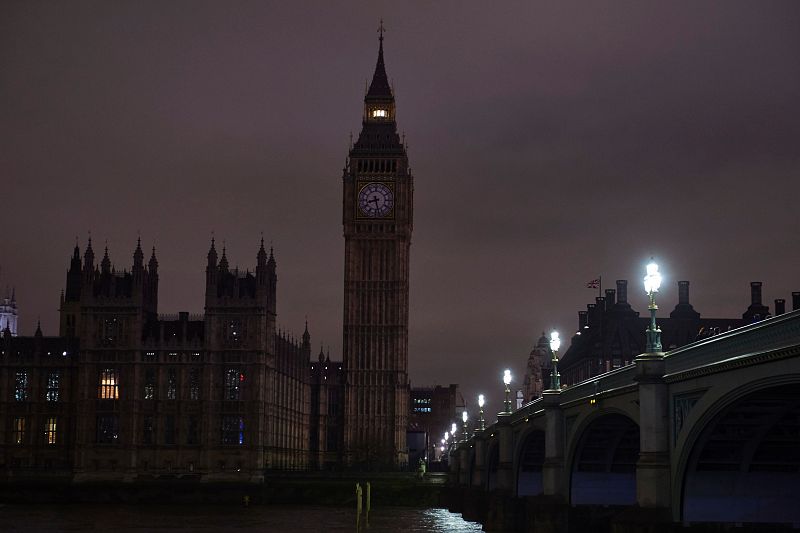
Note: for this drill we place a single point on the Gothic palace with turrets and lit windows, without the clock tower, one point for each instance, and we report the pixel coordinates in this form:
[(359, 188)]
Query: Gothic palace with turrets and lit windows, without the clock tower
[(127, 394)]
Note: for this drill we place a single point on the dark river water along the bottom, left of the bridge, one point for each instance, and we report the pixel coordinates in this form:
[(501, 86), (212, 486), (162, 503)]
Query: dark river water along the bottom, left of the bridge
[(185, 518)]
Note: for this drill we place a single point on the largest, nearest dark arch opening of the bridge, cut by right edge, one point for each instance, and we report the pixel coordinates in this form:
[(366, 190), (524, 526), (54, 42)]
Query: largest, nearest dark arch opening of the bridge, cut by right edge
[(741, 460)]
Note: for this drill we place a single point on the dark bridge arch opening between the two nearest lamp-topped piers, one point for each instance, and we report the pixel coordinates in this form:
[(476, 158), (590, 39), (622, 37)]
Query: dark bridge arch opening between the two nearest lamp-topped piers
[(603, 460)]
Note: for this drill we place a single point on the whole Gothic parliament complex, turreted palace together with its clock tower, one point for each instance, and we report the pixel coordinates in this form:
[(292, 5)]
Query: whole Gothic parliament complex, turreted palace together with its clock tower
[(124, 393)]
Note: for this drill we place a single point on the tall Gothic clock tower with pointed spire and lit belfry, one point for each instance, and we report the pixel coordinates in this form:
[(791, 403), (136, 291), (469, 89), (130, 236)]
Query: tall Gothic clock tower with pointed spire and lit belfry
[(377, 217)]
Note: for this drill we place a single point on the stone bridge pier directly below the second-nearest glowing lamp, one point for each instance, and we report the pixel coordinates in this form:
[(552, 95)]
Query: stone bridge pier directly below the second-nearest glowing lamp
[(553, 475)]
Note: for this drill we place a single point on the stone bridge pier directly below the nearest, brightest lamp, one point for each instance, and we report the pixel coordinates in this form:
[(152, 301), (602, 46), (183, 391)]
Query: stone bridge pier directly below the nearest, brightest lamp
[(653, 488)]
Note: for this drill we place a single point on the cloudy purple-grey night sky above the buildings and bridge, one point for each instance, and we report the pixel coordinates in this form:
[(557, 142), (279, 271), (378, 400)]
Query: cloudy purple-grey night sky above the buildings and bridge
[(550, 143)]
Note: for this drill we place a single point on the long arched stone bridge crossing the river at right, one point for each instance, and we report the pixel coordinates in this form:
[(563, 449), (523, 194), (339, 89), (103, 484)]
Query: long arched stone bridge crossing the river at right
[(707, 433)]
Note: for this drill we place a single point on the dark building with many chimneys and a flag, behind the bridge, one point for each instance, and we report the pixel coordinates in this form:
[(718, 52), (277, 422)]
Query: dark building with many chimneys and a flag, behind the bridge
[(611, 333)]
